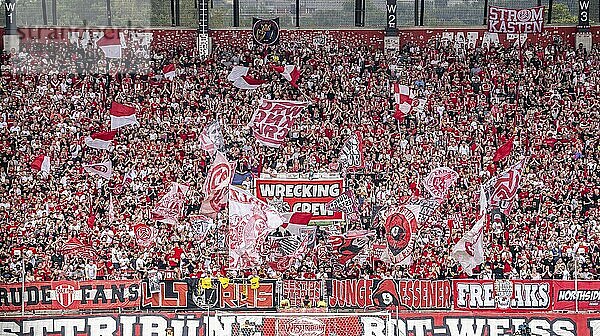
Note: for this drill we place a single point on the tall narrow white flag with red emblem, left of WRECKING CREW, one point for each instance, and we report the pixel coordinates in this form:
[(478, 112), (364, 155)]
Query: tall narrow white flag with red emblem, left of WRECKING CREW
[(216, 185)]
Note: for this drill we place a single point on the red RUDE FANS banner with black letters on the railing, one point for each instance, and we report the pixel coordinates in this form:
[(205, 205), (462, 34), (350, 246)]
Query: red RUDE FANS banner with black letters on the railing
[(67, 295)]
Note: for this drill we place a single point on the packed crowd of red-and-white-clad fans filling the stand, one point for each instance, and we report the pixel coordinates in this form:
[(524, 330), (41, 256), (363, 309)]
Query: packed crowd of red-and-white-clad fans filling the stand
[(477, 97)]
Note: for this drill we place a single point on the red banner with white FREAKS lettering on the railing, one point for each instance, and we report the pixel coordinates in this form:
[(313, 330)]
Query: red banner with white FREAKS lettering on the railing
[(502, 295)]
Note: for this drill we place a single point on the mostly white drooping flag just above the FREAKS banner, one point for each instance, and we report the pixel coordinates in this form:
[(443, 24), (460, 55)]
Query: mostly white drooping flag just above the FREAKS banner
[(469, 249)]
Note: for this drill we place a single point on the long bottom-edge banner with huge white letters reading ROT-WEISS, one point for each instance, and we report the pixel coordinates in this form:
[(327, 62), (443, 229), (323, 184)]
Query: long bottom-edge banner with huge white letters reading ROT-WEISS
[(195, 324)]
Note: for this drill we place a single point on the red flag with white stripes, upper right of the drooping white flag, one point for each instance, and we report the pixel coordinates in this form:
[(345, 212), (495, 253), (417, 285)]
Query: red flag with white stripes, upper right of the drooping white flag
[(504, 188)]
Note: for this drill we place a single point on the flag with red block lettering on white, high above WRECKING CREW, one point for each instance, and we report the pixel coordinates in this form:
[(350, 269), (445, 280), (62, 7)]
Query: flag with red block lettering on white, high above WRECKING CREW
[(273, 120)]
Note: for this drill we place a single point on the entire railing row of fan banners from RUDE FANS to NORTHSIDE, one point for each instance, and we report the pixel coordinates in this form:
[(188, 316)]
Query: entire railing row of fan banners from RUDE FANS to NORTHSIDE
[(489, 296)]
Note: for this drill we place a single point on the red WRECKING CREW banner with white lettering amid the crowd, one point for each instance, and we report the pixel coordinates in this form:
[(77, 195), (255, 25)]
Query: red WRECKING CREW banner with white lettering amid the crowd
[(303, 195)]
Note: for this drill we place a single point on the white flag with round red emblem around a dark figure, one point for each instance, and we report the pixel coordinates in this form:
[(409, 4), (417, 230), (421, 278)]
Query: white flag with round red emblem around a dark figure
[(400, 224)]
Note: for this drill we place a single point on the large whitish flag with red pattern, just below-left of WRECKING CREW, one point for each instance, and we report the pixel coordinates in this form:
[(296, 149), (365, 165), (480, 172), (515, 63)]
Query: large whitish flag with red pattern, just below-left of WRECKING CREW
[(250, 221)]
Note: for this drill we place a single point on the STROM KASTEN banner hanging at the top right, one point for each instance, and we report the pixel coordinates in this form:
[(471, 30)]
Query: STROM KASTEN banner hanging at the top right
[(516, 21)]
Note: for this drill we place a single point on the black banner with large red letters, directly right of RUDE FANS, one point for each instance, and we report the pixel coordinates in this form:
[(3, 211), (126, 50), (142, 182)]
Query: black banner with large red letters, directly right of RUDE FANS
[(189, 295)]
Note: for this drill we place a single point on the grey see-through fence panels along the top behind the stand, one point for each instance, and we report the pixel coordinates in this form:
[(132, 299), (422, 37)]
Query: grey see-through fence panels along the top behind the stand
[(301, 13)]
